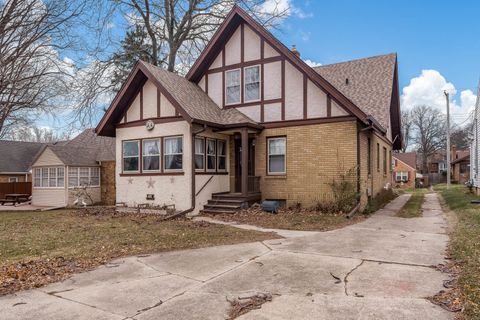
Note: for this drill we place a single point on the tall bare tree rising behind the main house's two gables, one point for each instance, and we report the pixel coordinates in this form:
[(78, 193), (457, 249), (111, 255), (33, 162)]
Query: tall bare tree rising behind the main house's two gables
[(166, 33)]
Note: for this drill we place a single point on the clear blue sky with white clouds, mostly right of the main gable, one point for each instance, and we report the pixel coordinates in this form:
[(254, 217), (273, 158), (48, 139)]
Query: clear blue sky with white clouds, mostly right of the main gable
[(437, 43)]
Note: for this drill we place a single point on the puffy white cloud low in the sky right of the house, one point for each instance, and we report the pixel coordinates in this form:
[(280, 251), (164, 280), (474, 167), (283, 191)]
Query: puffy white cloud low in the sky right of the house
[(428, 89)]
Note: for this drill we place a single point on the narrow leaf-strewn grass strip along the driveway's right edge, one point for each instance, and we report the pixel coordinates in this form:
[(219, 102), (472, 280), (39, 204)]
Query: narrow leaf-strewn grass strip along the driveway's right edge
[(465, 246)]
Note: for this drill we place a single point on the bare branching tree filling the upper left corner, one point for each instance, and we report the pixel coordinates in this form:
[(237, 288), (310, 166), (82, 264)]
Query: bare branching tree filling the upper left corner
[(32, 77)]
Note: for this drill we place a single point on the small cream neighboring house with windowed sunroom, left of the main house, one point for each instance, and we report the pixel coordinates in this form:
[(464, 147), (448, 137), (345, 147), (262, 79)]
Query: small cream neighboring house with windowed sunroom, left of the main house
[(82, 168)]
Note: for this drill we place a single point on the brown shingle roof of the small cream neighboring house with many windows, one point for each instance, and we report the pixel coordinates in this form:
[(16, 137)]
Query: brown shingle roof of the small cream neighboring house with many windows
[(85, 149)]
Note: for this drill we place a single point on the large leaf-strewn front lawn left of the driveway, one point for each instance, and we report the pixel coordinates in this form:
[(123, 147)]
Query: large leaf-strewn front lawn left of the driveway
[(41, 247)]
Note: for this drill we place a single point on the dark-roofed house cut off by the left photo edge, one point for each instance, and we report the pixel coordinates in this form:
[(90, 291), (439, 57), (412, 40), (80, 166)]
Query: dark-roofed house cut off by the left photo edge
[(16, 159)]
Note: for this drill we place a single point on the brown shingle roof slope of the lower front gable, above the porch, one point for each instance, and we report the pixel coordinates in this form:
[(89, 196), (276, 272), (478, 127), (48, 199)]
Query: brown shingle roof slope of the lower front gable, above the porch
[(196, 103)]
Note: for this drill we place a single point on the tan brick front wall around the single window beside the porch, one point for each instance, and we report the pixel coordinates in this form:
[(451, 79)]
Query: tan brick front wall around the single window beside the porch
[(316, 154)]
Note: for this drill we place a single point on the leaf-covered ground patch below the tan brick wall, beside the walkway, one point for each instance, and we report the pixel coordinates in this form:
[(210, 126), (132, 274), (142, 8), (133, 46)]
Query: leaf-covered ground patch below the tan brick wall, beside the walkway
[(291, 219)]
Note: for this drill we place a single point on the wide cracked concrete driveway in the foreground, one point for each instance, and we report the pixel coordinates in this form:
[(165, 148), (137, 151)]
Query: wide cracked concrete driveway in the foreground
[(377, 269)]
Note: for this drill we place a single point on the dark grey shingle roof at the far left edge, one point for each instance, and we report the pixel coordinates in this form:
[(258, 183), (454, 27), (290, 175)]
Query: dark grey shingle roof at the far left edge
[(17, 156)]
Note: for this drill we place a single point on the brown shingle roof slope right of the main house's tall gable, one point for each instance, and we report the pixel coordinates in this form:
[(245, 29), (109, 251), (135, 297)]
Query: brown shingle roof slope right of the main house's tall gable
[(369, 86)]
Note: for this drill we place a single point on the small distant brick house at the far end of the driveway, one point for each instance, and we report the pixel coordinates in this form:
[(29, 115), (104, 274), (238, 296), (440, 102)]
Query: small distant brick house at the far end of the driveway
[(405, 169)]
